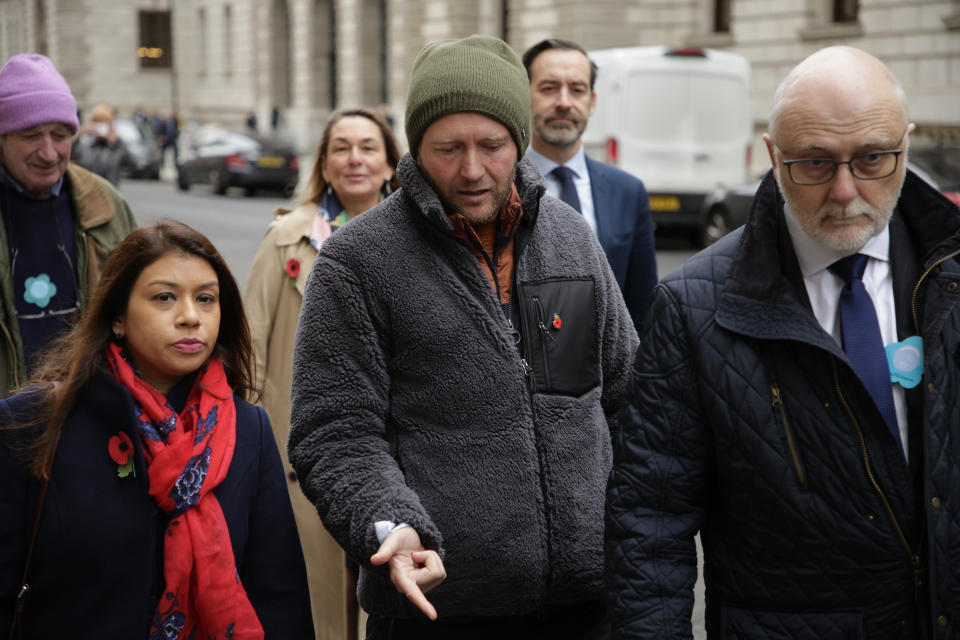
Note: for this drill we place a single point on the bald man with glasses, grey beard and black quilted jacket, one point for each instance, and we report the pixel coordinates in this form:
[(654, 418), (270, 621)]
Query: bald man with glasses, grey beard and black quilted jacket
[(795, 395)]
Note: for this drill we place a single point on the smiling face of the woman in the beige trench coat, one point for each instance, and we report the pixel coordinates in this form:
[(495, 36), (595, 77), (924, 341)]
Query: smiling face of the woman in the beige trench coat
[(356, 160)]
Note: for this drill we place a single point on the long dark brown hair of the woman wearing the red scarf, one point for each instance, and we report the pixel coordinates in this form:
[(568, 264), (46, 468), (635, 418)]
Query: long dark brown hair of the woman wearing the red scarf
[(72, 361)]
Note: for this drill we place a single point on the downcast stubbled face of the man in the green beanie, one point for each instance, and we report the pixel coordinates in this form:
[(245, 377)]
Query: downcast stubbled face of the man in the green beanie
[(470, 160)]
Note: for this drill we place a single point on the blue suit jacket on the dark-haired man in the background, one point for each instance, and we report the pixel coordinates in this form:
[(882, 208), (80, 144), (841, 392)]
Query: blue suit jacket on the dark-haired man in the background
[(625, 231)]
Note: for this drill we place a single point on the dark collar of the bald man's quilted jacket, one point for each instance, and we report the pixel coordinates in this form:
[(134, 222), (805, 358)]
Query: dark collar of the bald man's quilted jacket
[(764, 296)]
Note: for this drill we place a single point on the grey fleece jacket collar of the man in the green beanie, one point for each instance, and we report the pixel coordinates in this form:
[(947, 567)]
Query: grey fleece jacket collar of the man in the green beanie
[(528, 181)]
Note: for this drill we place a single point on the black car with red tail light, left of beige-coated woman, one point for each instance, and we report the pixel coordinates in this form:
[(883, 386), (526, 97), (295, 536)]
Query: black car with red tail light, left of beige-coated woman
[(224, 159)]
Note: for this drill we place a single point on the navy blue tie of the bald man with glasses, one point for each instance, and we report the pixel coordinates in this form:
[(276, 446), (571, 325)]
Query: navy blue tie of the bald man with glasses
[(861, 336)]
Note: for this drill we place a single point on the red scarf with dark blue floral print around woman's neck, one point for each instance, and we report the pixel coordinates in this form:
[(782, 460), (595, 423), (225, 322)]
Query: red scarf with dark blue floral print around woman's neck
[(188, 454)]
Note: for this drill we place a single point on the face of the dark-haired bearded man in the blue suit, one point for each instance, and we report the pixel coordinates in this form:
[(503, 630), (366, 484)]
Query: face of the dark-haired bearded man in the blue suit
[(561, 100)]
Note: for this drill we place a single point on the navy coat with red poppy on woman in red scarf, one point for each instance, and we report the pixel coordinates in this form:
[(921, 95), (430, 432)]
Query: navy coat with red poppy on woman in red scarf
[(97, 565)]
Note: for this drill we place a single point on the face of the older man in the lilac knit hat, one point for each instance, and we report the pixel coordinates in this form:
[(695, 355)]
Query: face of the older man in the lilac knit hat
[(37, 157)]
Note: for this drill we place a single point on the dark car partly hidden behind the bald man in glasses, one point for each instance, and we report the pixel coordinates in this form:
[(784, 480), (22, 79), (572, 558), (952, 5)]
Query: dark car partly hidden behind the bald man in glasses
[(726, 209)]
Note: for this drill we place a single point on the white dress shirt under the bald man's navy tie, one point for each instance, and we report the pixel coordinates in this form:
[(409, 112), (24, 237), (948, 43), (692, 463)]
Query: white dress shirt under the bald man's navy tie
[(823, 289)]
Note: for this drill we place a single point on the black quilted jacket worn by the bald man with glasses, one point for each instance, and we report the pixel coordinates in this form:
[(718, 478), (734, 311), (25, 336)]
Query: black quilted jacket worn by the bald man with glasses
[(748, 424)]
